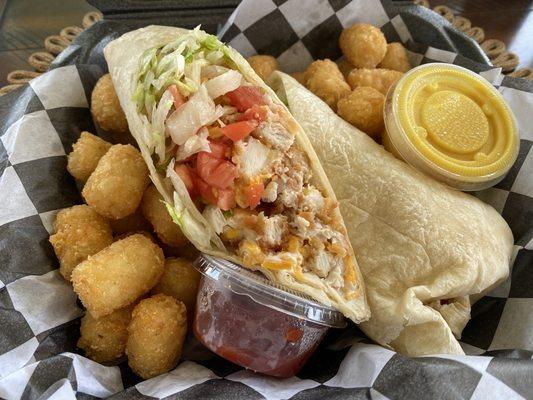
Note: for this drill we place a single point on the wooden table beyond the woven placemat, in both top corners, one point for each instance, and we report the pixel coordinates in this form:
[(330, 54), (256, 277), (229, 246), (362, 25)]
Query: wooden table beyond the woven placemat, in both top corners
[(24, 24)]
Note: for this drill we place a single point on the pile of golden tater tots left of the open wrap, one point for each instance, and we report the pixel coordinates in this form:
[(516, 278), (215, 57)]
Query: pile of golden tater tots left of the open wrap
[(112, 250)]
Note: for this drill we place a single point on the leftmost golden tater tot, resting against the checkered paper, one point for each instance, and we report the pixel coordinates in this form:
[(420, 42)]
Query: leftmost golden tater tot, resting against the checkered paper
[(79, 232)]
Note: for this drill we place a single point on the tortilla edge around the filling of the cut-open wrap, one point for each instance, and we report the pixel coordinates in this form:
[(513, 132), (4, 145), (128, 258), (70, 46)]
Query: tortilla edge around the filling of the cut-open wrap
[(123, 57)]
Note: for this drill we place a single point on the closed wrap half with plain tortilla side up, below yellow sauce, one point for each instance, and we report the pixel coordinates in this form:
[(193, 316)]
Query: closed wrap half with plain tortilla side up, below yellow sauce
[(424, 249)]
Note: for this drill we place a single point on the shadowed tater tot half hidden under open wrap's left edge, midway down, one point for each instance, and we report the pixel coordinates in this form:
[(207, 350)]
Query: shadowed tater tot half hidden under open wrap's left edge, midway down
[(156, 212)]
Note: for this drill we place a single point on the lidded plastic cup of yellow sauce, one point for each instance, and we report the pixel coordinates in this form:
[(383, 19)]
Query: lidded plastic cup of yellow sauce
[(451, 124)]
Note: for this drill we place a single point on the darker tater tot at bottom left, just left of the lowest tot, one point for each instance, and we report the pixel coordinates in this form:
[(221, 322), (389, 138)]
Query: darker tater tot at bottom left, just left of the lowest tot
[(104, 339)]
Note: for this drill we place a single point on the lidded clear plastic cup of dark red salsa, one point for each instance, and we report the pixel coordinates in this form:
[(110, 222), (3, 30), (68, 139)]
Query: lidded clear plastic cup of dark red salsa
[(243, 317)]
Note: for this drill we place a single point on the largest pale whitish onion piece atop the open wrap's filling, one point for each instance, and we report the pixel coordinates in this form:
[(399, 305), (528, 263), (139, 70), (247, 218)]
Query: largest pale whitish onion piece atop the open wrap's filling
[(198, 111)]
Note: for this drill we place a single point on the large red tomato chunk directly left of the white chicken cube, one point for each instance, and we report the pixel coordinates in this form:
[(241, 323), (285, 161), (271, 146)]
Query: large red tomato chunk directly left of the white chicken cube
[(214, 171)]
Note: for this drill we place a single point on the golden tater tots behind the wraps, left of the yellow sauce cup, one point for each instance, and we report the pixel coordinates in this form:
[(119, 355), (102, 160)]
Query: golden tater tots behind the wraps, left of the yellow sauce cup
[(354, 87)]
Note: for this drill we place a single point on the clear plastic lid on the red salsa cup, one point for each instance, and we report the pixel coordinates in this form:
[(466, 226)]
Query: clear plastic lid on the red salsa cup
[(254, 285)]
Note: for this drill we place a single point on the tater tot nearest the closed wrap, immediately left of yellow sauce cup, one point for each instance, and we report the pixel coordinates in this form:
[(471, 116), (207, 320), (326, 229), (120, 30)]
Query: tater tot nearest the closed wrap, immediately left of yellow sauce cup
[(363, 108)]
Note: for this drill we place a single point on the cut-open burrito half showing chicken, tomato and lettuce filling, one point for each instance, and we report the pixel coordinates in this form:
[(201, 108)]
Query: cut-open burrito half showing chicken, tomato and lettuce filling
[(236, 171)]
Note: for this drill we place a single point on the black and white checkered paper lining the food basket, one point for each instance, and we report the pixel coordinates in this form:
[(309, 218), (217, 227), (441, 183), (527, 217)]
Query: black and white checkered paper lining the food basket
[(39, 315)]
